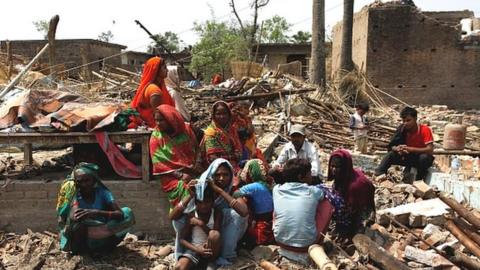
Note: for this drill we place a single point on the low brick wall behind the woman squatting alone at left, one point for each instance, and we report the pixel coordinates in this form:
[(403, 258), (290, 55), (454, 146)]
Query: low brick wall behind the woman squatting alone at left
[(31, 204)]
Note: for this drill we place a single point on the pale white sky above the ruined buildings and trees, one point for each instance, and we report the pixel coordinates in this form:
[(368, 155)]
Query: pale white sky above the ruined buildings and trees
[(86, 19)]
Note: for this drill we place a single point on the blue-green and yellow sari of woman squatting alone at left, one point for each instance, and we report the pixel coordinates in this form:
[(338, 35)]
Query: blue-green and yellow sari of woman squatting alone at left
[(67, 198)]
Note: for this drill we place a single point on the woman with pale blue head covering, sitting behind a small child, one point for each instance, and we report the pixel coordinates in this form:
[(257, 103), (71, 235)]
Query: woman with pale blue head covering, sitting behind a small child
[(219, 177)]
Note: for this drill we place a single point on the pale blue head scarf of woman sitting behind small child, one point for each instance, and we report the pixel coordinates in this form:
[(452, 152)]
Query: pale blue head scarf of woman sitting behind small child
[(206, 176)]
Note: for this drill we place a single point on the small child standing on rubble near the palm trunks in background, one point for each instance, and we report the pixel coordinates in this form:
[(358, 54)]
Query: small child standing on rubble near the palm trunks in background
[(359, 126)]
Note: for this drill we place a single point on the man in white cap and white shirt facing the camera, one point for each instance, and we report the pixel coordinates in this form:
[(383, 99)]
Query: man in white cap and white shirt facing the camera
[(298, 147)]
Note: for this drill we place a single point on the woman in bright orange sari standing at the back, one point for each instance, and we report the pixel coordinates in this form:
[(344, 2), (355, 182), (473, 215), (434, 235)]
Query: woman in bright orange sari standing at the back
[(152, 90)]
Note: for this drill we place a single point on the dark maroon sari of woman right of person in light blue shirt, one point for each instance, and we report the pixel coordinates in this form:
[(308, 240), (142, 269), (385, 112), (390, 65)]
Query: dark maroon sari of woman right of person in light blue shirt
[(357, 191)]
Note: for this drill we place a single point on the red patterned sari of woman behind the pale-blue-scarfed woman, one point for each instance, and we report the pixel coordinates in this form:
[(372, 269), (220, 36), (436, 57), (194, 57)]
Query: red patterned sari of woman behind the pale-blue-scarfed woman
[(221, 142)]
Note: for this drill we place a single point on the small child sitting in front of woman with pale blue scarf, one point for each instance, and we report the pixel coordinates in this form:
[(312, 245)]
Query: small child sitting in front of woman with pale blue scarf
[(201, 235)]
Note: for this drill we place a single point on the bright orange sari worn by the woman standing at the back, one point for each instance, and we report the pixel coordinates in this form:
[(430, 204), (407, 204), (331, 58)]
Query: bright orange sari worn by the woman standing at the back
[(141, 101)]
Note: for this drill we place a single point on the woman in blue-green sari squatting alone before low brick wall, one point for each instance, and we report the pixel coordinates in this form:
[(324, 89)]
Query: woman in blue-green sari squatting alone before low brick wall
[(89, 218)]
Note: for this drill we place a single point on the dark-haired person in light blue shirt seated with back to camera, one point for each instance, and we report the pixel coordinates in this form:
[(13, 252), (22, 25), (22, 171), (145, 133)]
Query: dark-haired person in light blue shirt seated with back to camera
[(300, 214)]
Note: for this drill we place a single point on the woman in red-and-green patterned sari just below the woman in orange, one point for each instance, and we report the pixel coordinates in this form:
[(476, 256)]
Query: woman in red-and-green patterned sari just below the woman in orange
[(173, 149)]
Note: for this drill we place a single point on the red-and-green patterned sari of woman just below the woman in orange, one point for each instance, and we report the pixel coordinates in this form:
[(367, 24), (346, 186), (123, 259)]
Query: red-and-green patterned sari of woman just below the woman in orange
[(172, 152)]
